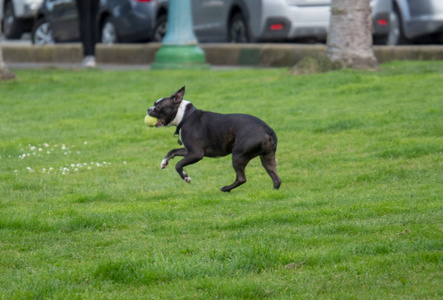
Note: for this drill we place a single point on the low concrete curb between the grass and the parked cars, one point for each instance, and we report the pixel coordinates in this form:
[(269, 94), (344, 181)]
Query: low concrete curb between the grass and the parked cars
[(253, 55)]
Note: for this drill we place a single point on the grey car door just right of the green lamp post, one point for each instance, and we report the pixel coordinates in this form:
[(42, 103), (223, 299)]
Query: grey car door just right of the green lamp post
[(209, 19)]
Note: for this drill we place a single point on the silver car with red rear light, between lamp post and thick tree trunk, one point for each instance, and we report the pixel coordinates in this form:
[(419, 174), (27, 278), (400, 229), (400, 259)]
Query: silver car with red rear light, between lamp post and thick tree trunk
[(241, 21)]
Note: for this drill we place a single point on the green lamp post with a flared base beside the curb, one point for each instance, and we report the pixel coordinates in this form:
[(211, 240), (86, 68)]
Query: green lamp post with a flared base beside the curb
[(179, 48)]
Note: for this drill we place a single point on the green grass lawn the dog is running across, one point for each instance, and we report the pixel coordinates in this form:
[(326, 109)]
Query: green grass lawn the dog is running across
[(86, 212)]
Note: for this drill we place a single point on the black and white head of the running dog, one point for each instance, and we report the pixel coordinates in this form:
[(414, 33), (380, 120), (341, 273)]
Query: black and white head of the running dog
[(166, 110)]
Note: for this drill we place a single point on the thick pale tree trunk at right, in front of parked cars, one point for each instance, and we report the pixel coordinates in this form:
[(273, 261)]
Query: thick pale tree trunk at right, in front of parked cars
[(349, 39)]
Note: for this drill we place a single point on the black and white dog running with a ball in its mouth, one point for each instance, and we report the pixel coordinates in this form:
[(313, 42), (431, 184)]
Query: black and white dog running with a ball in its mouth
[(210, 134)]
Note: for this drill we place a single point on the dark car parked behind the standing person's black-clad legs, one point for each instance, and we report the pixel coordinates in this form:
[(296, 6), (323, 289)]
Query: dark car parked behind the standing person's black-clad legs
[(117, 21)]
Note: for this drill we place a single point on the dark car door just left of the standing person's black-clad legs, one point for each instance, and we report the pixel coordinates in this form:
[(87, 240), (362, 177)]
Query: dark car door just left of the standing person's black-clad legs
[(64, 20)]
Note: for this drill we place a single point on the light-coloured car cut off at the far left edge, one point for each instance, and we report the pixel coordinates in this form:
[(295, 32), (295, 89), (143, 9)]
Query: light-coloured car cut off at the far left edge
[(17, 16)]
